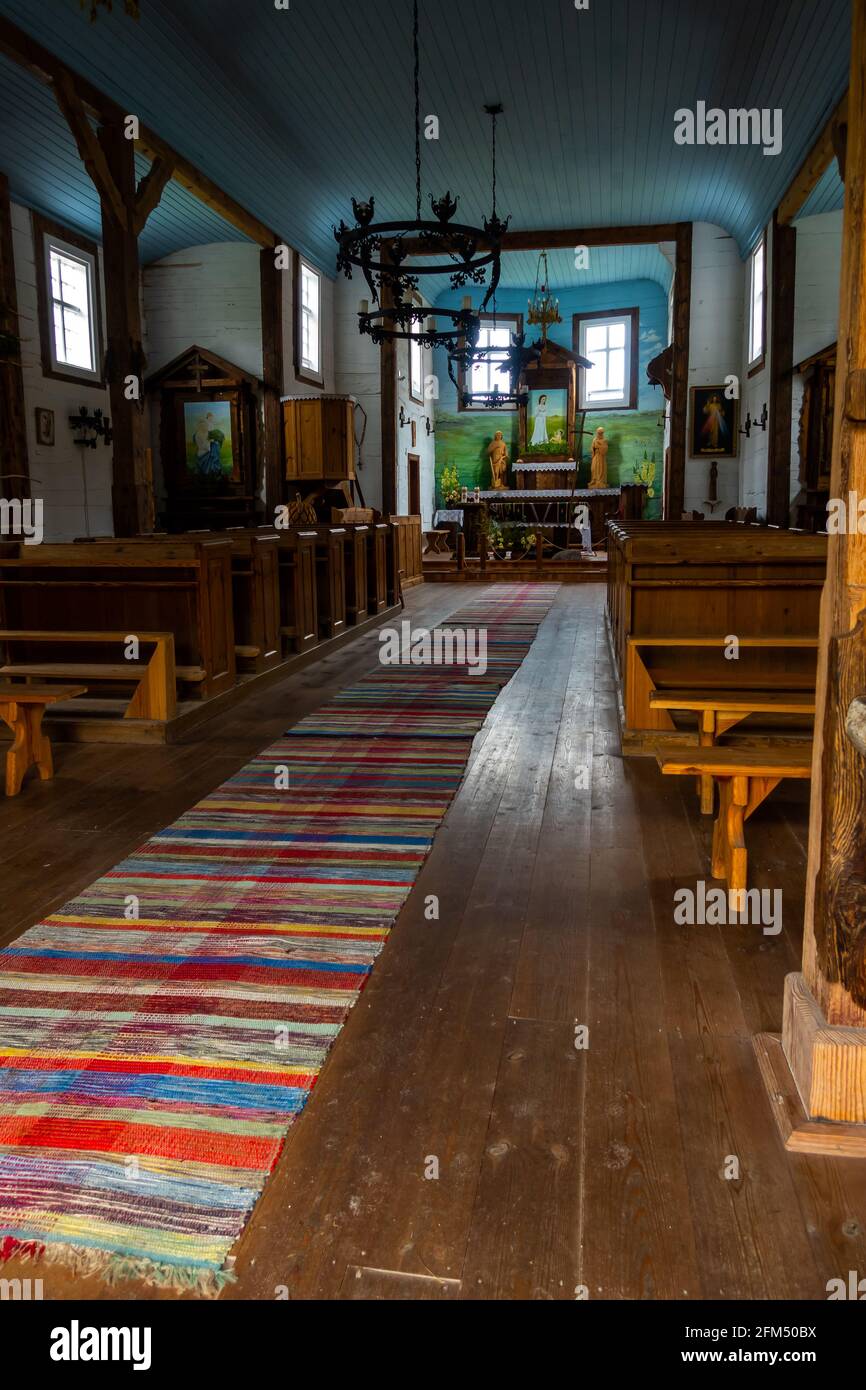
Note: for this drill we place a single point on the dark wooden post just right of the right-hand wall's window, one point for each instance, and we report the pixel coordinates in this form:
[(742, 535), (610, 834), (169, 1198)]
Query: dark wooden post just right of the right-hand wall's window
[(782, 382)]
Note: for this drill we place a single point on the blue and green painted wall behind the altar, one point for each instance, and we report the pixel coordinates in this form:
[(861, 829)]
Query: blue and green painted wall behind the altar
[(464, 437)]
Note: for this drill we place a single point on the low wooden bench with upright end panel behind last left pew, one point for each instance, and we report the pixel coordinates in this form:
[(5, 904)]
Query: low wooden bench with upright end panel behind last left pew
[(155, 696)]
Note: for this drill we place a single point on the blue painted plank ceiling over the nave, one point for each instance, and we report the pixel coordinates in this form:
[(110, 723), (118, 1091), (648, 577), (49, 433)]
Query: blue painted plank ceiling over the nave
[(295, 111)]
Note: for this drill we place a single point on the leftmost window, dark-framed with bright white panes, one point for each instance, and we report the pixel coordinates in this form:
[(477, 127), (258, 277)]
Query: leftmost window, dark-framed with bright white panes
[(69, 304)]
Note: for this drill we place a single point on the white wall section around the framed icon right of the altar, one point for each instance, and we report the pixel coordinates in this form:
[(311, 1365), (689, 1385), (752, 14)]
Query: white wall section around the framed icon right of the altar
[(715, 350)]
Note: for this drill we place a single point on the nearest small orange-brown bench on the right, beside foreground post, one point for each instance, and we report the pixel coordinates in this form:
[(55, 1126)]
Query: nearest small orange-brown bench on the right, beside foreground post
[(746, 779)]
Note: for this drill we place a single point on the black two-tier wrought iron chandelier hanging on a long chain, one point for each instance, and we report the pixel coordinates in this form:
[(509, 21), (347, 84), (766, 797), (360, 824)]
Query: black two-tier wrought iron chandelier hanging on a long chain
[(394, 256)]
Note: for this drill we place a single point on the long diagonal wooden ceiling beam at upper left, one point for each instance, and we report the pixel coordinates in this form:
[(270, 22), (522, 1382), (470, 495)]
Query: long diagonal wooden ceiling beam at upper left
[(49, 69)]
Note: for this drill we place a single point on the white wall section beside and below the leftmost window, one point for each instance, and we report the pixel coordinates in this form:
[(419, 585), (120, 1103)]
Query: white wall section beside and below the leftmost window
[(74, 504)]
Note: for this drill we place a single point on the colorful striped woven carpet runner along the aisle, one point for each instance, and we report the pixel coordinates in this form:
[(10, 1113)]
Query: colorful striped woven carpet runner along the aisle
[(161, 1033)]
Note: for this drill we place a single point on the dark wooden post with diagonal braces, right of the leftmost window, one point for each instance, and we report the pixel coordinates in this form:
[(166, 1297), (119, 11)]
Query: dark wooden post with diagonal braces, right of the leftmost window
[(133, 487)]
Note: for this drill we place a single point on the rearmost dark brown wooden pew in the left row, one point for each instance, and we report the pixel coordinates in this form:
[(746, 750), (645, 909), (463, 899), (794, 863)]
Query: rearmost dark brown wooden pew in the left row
[(181, 587)]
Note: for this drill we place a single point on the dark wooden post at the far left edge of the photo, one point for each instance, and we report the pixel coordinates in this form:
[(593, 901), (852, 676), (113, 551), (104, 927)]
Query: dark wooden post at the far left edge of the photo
[(15, 471)]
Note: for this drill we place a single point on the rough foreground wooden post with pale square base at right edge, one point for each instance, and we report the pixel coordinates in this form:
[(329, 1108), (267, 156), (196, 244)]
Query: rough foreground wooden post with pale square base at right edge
[(825, 1017)]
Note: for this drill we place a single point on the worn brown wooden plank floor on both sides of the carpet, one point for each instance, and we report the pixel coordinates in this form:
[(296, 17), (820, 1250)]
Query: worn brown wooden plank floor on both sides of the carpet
[(459, 1145)]
